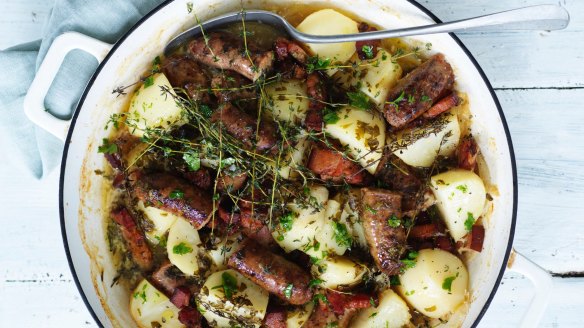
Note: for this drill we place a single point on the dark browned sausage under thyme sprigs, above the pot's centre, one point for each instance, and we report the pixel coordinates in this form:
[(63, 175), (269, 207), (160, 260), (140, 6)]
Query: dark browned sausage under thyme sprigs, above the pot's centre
[(242, 126)]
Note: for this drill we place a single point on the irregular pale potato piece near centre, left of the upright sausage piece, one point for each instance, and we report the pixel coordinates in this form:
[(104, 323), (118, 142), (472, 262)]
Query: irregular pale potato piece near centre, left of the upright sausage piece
[(306, 220)]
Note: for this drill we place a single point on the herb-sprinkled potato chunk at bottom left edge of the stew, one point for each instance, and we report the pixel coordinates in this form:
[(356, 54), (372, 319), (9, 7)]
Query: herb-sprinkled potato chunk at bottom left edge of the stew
[(150, 307)]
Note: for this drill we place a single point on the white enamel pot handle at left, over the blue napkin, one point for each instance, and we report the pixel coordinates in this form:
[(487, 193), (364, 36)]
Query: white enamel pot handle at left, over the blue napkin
[(34, 106)]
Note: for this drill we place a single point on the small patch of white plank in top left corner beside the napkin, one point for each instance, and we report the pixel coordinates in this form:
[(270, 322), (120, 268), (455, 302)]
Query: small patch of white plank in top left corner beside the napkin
[(22, 21)]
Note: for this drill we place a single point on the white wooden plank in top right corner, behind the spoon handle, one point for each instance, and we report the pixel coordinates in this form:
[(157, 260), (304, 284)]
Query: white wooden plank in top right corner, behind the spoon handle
[(524, 59)]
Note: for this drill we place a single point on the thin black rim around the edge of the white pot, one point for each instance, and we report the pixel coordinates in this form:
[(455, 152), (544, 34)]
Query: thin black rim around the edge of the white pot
[(162, 5)]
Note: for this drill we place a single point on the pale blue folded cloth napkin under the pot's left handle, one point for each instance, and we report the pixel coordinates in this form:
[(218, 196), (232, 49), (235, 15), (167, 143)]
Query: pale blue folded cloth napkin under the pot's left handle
[(25, 145)]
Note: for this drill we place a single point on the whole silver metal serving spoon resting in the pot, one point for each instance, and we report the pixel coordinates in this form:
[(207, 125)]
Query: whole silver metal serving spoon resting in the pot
[(541, 17)]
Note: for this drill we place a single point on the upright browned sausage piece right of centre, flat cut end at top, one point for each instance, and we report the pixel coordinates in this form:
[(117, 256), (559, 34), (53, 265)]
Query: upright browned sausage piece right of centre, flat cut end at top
[(386, 243)]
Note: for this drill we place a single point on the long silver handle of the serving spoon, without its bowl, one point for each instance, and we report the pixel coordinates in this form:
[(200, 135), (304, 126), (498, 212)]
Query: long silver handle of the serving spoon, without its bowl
[(541, 17)]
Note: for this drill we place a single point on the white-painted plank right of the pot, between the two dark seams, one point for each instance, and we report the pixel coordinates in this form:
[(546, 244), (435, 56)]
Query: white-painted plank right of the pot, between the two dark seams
[(549, 145)]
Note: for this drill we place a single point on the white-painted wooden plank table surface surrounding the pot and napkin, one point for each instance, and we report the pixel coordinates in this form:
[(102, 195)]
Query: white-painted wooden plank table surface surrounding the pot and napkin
[(539, 79)]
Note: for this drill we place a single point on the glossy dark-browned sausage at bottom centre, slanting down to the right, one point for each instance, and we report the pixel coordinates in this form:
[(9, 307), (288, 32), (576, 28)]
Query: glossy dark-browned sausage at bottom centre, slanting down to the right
[(272, 272)]
